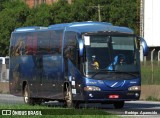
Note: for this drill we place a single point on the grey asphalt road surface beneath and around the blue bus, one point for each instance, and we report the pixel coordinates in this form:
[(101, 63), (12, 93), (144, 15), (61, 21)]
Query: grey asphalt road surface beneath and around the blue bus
[(130, 107)]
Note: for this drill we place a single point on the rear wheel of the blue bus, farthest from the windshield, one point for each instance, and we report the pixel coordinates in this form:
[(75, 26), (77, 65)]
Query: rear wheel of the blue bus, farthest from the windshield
[(26, 96)]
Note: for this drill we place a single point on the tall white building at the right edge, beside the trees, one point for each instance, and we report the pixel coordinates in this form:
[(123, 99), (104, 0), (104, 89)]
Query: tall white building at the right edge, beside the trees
[(149, 26)]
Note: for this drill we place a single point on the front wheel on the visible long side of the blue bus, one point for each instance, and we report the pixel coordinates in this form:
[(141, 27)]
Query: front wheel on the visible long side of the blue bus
[(69, 98)]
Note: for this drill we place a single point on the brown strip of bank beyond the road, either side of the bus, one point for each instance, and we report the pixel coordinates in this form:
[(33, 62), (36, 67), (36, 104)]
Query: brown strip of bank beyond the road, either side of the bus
[(147, 90)]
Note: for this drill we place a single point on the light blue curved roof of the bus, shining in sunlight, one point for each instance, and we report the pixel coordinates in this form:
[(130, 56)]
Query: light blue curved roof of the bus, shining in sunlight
[(80, 27)]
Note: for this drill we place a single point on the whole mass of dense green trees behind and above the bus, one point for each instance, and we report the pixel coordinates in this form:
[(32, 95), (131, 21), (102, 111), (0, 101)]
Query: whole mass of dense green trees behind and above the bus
[(15, 13)]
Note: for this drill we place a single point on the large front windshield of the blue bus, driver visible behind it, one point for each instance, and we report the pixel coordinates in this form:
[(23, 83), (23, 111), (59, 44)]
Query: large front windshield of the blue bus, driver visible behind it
[(110, 53)]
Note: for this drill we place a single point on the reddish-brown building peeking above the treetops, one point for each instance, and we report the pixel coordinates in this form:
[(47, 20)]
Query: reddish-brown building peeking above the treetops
[(34, 3)]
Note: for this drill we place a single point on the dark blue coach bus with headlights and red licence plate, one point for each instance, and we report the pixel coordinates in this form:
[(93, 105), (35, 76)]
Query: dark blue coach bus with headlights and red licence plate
[(79, 62)]
